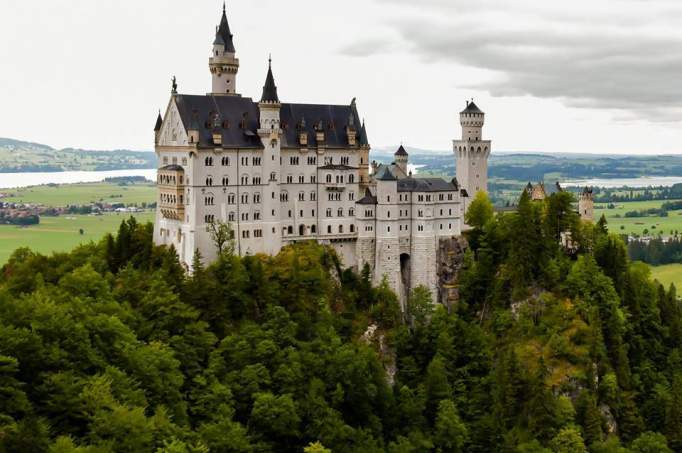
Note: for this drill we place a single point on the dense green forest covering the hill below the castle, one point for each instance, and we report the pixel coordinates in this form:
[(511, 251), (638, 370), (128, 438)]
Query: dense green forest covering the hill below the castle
[(558, 343)]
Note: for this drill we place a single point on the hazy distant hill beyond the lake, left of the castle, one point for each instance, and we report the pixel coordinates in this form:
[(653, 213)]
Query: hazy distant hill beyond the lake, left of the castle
[(18, 156)]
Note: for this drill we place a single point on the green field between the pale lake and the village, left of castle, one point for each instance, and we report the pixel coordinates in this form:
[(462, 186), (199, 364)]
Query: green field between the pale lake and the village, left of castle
[(78, 194)]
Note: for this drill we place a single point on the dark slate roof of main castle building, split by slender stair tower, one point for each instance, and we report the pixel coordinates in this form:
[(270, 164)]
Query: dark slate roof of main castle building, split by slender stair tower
[(239, 118)]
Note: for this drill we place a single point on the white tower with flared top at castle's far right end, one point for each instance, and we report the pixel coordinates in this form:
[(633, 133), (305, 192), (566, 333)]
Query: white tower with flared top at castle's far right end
[(472, 151)]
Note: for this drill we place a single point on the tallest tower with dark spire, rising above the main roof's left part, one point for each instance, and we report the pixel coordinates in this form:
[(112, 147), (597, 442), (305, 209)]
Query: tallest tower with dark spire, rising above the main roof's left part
[(223, 63)]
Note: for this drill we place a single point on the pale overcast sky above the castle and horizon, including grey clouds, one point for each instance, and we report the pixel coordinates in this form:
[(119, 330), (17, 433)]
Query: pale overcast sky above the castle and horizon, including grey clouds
[(578, 76)]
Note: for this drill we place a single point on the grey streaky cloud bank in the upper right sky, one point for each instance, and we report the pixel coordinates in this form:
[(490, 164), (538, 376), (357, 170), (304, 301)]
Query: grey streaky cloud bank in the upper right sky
[(624, 55)]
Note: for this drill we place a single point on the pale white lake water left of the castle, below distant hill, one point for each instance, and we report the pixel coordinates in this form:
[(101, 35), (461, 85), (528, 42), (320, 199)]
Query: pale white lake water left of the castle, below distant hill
[(15, 180)]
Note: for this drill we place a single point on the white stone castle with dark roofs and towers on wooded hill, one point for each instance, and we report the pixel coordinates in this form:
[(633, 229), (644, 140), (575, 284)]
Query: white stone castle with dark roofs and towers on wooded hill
[(281, 173)]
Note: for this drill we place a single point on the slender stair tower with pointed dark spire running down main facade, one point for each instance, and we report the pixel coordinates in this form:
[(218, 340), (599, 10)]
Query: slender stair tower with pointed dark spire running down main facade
[(270, 133)]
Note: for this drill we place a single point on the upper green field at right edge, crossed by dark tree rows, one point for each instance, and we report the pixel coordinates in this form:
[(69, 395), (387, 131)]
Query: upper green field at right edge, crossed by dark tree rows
[(637, 225)]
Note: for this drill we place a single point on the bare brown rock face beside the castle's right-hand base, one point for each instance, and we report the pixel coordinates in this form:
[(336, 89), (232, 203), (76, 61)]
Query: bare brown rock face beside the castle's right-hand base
[(450, 256)]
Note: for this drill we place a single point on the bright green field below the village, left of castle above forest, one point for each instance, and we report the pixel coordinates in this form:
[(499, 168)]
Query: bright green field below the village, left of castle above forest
[(59, 234)]
